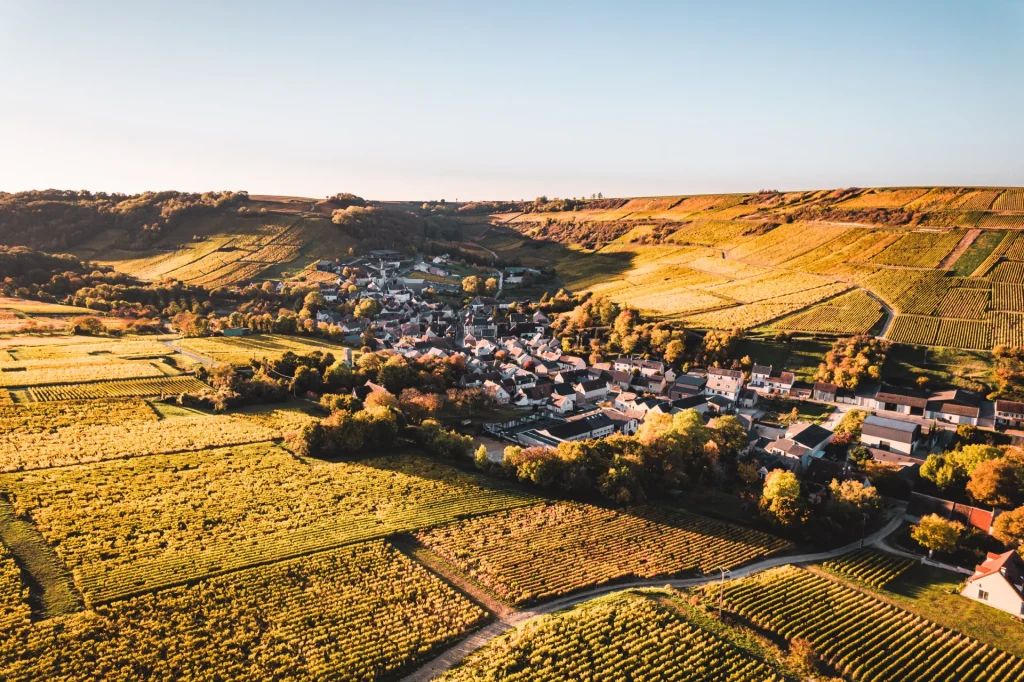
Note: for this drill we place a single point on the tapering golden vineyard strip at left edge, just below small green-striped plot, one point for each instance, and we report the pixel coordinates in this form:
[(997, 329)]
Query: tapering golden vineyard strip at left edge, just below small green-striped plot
[(81, 443)]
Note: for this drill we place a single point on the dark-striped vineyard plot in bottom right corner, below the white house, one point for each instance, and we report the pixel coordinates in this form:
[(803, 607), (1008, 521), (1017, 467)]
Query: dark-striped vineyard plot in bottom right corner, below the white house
[(863, 637)]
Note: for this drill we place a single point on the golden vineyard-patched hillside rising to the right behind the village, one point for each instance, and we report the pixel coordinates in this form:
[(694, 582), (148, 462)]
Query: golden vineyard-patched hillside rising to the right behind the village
[(940, 267)]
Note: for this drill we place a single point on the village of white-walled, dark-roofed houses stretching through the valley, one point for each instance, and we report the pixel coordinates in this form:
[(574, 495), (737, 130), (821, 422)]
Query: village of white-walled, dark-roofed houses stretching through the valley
[(550, 397)]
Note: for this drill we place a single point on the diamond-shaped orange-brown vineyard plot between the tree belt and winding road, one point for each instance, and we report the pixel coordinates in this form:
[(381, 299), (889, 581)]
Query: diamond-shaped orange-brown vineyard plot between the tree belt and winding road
[(534, 553)]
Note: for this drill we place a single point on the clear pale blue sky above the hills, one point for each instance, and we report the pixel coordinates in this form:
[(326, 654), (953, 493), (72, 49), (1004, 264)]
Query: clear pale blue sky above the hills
[(476, 101)]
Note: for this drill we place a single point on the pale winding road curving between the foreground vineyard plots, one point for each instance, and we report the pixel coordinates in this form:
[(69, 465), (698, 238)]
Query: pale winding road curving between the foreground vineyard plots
[(457, 654)]
